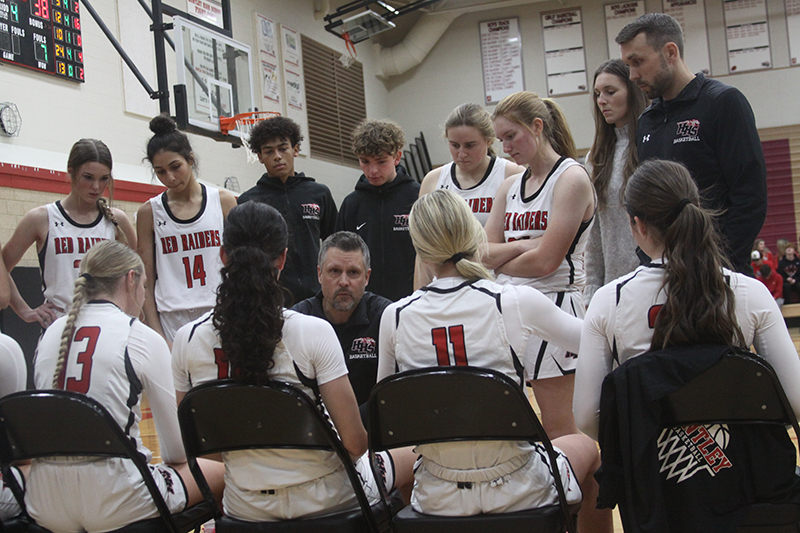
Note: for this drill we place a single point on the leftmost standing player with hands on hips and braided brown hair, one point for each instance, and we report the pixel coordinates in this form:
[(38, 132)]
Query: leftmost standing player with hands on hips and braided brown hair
[(65, 230)]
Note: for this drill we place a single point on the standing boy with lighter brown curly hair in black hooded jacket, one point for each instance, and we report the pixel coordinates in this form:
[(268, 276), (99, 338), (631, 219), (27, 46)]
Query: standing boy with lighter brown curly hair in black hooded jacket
[(378, 209)]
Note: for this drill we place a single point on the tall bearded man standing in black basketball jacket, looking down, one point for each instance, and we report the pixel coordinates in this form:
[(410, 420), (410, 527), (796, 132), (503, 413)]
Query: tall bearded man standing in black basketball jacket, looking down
[(704, 124)]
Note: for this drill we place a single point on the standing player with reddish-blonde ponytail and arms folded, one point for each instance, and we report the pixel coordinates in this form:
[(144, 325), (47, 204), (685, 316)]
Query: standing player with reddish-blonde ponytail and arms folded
[(537, 234)]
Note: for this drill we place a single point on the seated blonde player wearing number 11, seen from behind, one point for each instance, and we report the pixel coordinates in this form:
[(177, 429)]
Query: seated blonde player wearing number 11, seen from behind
[(463, 318)]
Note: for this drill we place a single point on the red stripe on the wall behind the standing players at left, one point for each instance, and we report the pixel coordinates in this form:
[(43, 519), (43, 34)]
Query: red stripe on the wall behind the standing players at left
[(45, 180)]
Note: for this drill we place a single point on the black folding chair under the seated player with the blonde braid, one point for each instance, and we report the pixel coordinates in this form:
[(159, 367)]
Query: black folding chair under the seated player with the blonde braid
[(48, 423)]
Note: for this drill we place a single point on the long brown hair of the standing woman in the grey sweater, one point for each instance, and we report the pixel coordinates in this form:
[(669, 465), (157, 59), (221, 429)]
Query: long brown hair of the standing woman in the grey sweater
[(601, 154)]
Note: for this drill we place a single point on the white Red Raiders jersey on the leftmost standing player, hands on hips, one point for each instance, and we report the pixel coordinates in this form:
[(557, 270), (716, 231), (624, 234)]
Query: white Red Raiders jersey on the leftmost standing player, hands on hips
[(67, 242)]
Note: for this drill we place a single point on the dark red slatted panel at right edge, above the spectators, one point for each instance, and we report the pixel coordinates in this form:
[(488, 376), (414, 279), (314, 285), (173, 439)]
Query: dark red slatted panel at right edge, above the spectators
[(780, 222)]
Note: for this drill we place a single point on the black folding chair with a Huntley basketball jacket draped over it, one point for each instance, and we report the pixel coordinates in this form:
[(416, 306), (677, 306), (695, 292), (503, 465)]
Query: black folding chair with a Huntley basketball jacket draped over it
[(741, 389)]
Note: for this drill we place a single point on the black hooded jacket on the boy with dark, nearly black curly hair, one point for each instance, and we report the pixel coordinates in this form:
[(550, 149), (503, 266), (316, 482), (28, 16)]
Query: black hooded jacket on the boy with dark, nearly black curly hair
[(310, 213)]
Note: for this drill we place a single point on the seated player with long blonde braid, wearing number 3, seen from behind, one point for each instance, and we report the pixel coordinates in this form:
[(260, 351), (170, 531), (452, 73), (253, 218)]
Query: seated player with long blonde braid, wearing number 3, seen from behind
[(102, 350)]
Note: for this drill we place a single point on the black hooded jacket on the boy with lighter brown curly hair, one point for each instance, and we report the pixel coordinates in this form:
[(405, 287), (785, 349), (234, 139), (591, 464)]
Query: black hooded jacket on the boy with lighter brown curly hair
[(380, 216)]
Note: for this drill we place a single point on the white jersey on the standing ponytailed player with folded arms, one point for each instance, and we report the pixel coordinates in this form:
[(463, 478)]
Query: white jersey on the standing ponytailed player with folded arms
[(527, 217)]
